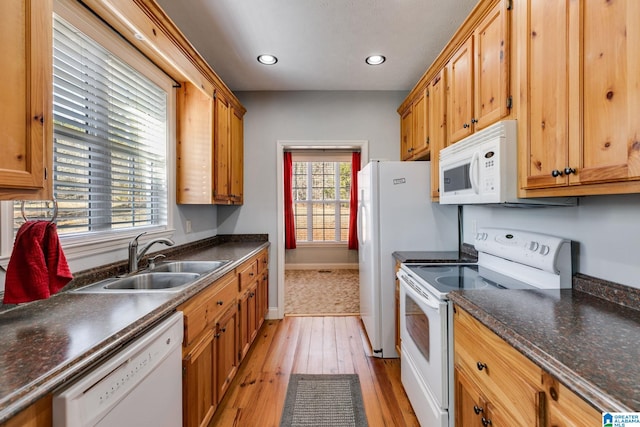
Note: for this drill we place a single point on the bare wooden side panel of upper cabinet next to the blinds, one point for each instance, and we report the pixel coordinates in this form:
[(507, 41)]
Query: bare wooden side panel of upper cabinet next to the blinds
[(194, 146)]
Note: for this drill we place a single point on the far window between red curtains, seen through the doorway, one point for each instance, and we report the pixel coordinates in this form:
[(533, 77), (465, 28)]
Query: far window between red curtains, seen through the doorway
[(321, 198)]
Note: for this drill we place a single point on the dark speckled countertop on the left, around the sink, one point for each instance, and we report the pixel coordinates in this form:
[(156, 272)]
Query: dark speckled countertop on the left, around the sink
[(47, 343)]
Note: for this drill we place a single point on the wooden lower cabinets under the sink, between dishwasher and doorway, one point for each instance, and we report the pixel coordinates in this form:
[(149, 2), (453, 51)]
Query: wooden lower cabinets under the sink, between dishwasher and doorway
[(221, 323)]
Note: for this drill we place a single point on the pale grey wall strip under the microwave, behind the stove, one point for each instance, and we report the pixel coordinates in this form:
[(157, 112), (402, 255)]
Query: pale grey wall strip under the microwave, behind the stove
[(607, 229)]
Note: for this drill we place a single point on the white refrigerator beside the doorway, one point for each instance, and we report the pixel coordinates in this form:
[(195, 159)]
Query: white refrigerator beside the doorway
[(395, 214)]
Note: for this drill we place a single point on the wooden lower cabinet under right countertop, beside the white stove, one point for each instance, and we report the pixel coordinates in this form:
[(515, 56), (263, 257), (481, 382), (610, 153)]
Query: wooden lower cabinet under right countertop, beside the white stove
[(497, 385)]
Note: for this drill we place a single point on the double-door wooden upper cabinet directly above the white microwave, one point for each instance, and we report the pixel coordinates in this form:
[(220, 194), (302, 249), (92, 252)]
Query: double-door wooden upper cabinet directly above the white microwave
[(478, 76)]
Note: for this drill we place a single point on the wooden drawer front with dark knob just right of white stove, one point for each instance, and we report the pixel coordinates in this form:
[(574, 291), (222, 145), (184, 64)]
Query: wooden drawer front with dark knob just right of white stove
[(507, 378)]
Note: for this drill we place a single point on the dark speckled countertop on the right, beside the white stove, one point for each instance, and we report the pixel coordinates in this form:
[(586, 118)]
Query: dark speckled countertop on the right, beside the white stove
[(588, 343)]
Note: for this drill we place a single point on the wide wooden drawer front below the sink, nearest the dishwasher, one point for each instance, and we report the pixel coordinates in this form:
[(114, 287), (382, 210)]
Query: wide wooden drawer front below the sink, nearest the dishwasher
[(202, 310)]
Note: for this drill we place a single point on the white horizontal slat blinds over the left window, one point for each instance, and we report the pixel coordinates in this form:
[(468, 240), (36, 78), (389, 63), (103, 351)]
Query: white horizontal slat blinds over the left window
[(110, 139)]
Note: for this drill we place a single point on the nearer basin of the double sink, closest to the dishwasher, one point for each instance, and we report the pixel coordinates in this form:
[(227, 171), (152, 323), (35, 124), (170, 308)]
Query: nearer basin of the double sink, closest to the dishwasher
[(143, 282)]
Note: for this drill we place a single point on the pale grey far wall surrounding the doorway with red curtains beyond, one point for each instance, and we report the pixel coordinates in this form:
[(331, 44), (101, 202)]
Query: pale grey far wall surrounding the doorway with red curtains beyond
[(273, 116)]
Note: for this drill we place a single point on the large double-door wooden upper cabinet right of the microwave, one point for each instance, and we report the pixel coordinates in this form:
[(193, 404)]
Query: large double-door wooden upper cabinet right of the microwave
[(581, 93)]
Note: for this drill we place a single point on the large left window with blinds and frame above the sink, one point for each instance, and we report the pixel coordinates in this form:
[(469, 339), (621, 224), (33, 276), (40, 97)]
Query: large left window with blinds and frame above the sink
[(113, 116)]
